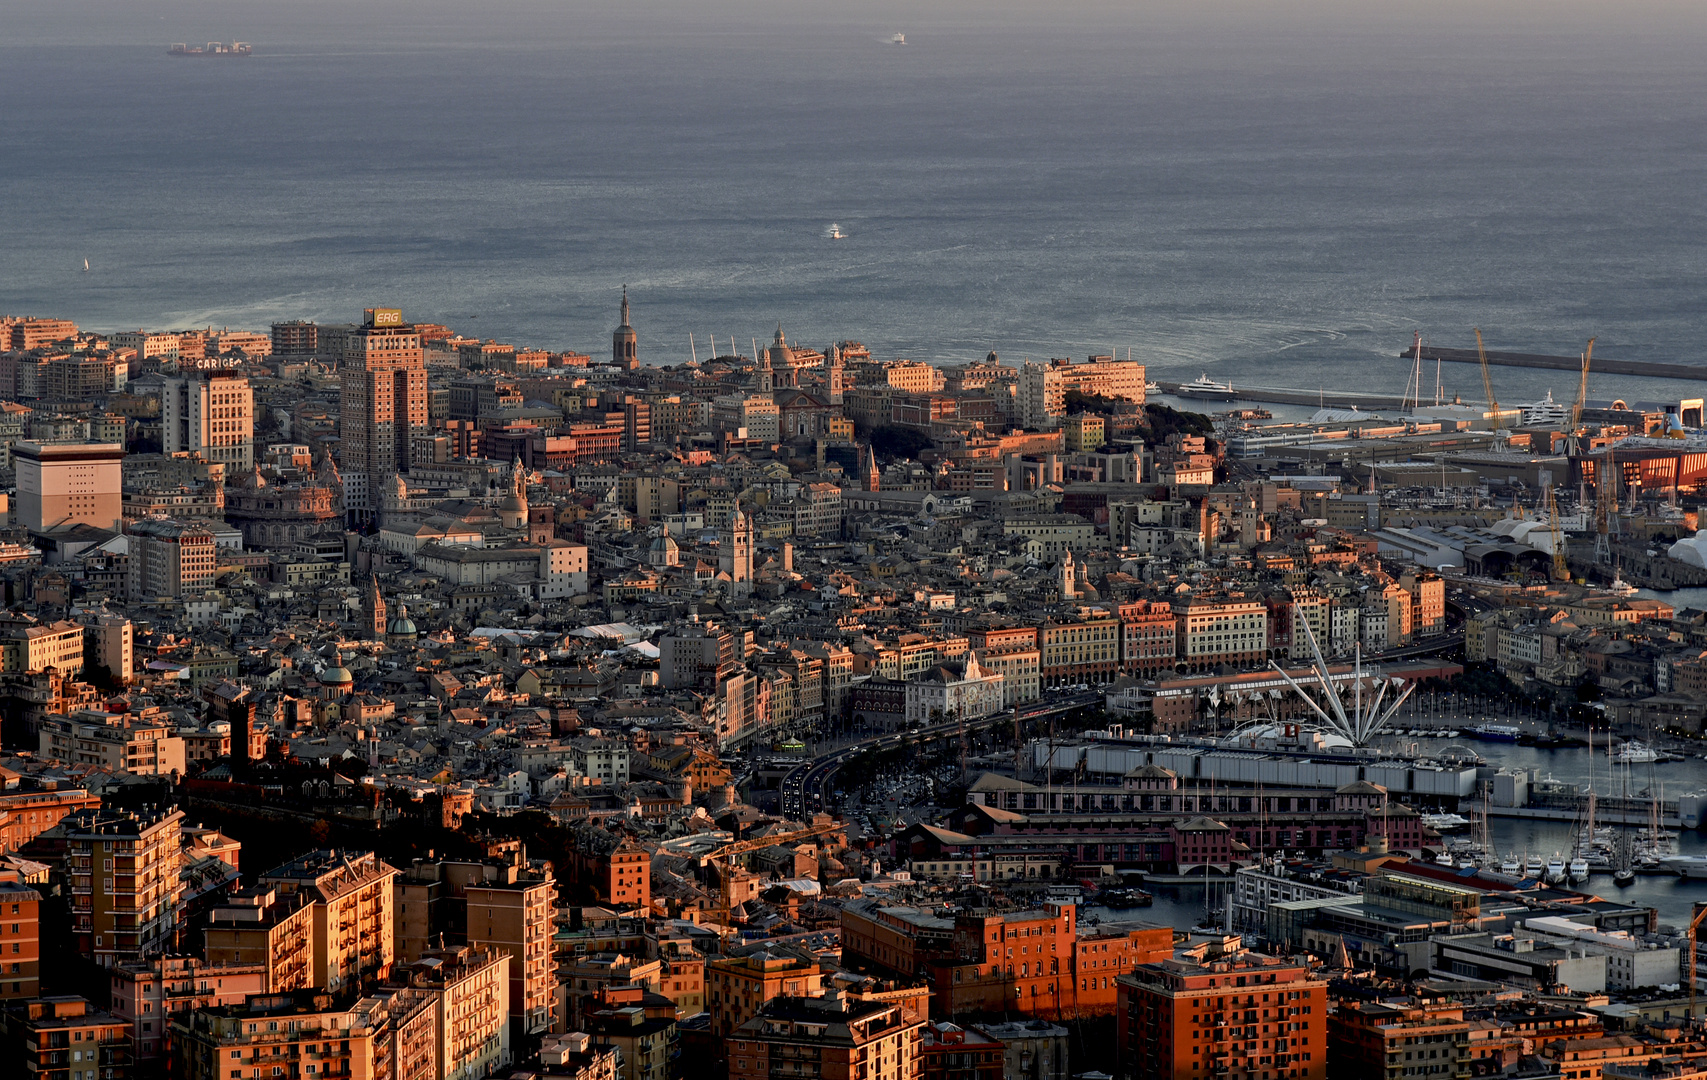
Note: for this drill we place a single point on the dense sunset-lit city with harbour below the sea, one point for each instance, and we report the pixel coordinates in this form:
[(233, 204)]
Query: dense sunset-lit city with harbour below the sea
[(387, 704)]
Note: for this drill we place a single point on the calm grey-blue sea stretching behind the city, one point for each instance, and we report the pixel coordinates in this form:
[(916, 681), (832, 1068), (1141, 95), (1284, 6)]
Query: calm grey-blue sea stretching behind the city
[(1274, 194)]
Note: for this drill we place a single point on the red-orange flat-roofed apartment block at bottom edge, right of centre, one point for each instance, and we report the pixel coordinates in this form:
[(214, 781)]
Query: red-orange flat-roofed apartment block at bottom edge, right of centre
[(1216, 1011)]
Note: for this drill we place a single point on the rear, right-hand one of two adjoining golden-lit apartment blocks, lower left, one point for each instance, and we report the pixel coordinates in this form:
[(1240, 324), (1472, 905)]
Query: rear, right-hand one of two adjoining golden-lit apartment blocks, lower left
[(351, 914)]
